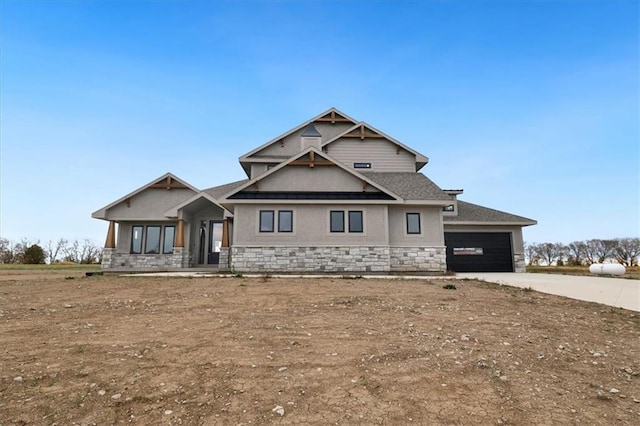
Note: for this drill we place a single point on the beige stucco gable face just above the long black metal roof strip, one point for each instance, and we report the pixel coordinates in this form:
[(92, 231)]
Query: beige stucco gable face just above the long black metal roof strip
[(319, 178)]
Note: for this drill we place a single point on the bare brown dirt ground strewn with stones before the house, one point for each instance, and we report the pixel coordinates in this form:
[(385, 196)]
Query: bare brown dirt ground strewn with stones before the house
[(115, 350)]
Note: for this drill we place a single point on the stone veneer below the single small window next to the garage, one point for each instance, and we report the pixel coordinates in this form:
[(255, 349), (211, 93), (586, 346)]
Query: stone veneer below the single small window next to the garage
[(418, 259)]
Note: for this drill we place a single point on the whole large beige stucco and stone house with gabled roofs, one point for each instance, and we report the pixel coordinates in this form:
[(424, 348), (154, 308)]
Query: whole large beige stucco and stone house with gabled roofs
[(331, 195)]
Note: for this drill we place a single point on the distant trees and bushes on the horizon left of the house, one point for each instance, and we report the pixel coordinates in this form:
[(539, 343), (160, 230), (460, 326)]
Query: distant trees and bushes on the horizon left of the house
[(29, 252)]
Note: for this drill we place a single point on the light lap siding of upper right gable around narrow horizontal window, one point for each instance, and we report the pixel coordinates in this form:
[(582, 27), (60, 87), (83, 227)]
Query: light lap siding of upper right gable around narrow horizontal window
[(381, 153)]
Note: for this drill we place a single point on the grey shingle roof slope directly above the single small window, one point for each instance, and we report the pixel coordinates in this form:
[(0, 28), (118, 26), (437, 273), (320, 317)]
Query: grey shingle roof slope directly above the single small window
[(409, 185)]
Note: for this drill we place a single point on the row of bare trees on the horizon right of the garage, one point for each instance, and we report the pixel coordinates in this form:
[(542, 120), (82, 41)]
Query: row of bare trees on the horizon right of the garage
[(621, 250)]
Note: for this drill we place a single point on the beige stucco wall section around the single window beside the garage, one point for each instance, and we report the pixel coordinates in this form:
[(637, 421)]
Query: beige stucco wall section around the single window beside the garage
[(430, 227)]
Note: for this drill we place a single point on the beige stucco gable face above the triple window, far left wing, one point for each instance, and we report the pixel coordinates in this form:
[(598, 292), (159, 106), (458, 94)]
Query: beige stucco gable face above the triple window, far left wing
[(150, 204)]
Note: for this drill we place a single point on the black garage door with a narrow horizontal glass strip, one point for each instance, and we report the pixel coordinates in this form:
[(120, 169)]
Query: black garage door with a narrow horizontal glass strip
[(479, 251)]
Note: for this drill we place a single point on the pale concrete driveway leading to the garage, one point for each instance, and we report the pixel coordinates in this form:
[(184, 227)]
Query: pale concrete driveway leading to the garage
[(618, 292)]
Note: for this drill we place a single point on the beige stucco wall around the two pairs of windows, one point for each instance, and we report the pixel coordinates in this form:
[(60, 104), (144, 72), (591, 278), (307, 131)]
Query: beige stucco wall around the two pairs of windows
[(310, 226)]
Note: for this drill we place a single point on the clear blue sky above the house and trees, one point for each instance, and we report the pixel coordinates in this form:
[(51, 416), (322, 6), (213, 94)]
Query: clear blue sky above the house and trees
[(532, 107)]
